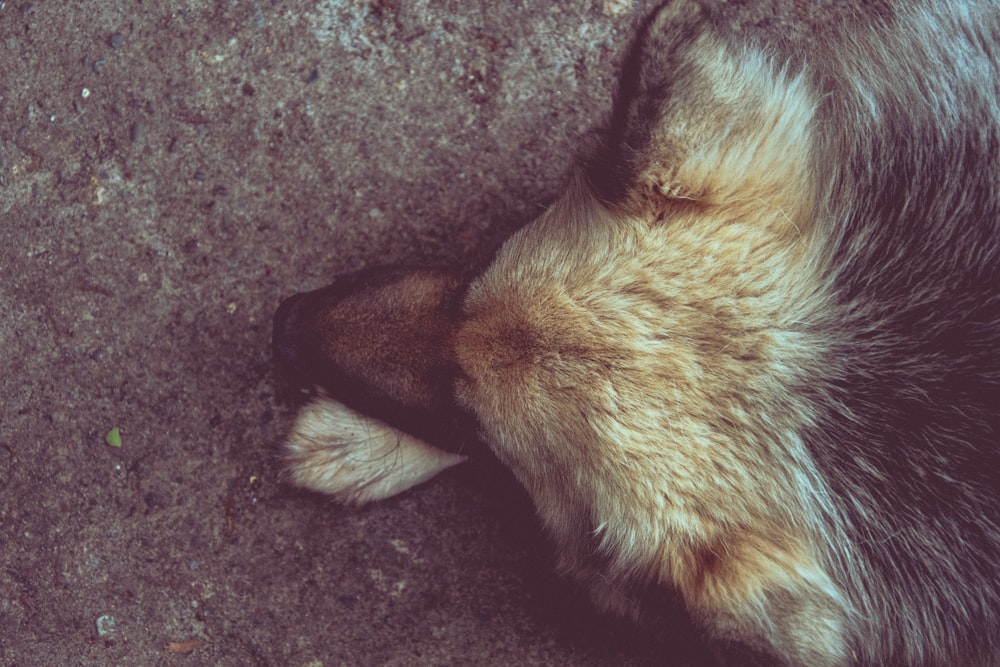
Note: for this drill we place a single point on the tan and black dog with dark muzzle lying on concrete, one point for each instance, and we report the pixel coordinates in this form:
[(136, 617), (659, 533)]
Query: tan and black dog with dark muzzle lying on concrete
[(750, 355)]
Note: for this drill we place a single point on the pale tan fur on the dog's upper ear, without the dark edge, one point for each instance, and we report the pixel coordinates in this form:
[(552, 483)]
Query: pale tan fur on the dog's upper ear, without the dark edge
[(747, 146)]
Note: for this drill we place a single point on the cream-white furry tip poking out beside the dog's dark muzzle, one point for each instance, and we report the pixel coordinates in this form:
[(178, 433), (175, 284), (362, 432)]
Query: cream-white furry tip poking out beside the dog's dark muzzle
[(333, 449)]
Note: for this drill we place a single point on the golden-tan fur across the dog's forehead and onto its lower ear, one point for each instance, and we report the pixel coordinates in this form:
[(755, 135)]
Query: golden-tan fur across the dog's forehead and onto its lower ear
[(563, 347)]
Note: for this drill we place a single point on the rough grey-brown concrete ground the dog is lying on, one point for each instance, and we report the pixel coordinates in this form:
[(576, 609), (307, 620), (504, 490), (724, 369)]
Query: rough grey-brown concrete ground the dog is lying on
[(169, 171)]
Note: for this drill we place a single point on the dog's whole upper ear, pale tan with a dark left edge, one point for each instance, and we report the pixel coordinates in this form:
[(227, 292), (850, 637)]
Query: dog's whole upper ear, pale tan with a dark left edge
[(697, 121)]
